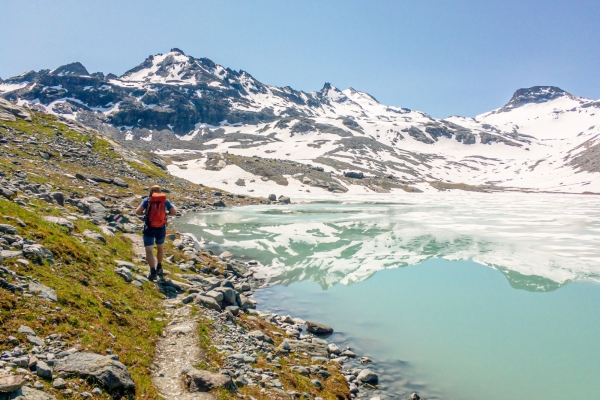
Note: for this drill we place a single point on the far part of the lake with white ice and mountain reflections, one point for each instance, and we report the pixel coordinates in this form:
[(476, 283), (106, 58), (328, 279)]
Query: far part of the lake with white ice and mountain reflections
[(538, 241)]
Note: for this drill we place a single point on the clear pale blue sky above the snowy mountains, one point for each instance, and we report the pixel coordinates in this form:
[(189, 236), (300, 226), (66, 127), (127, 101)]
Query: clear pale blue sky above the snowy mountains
[(440, 57)]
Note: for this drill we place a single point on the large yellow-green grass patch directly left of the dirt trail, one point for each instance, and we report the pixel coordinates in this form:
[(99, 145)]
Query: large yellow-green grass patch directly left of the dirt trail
[(83, 279)]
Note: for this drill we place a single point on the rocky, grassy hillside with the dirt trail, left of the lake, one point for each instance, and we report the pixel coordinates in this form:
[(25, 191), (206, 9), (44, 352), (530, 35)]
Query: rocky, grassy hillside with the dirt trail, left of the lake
[(78, 318)]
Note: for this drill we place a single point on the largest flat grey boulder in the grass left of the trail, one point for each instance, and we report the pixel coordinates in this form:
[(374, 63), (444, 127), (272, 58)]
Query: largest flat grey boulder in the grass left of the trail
[(110, 373)]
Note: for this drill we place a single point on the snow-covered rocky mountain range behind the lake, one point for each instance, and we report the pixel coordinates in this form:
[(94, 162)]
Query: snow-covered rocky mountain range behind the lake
[(269, 139)]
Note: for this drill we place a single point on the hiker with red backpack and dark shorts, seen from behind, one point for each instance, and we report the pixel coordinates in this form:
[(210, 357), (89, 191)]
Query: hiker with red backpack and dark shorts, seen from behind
[(155, 209)]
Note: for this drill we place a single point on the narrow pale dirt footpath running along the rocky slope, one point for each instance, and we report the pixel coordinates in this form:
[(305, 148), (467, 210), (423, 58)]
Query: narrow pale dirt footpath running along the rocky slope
[(177, 348)]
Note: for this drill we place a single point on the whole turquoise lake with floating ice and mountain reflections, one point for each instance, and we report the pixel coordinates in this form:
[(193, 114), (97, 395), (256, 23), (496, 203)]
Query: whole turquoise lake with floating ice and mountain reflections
[(456, 296)]
